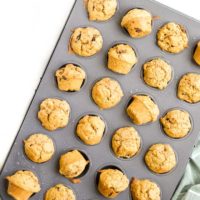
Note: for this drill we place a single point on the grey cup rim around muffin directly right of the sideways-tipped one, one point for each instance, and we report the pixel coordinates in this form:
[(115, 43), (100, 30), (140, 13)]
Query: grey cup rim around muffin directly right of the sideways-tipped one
[(191, 121)]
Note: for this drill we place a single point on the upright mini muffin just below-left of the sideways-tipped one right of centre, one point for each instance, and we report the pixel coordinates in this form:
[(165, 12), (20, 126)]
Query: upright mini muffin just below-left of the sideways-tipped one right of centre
[(126, 142)]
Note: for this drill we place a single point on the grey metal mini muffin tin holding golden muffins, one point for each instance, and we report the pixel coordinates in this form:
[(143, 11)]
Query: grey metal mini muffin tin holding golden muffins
[(81, 102)]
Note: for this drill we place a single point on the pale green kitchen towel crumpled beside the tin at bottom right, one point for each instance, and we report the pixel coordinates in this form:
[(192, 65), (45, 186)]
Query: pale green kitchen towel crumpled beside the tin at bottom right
[(189, 187)]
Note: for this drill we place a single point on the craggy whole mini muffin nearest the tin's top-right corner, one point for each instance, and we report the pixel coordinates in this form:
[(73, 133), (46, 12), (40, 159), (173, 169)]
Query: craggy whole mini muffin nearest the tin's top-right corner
[(172, 38)]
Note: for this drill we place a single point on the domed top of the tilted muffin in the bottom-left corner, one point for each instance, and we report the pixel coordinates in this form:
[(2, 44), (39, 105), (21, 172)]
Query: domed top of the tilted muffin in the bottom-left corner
[(25, 180)]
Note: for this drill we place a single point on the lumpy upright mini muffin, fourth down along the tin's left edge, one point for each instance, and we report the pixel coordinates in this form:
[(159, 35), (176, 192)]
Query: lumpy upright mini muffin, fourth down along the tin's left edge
[(54, 114)]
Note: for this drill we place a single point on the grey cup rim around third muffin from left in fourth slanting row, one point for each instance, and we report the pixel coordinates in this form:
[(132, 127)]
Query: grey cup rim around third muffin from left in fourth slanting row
[(131, 158)]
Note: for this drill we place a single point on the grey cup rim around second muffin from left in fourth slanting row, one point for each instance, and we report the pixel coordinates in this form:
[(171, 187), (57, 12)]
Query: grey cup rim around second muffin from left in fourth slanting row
[(90, 114)]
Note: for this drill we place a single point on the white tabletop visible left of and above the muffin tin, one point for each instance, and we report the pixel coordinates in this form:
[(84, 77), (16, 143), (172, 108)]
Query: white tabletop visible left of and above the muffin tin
[(28, 33)]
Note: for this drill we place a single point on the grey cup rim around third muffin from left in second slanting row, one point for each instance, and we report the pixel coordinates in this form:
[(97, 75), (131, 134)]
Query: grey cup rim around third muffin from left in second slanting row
[(172, 74)]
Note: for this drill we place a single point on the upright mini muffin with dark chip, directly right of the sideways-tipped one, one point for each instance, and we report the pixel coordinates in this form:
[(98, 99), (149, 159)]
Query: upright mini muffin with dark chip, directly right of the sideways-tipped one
[(176, 123)]
